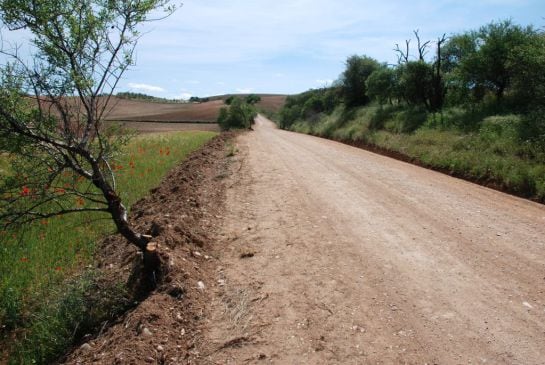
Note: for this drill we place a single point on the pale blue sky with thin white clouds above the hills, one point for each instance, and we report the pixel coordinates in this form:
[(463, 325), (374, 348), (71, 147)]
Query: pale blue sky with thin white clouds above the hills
[(211, 47)]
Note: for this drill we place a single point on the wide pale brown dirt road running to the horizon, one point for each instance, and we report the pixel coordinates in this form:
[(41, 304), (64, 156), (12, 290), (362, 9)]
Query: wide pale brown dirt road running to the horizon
[(334, 255)]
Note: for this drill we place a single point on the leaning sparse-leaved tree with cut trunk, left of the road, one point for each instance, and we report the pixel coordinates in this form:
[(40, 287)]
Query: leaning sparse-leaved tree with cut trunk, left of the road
[(52, 105)]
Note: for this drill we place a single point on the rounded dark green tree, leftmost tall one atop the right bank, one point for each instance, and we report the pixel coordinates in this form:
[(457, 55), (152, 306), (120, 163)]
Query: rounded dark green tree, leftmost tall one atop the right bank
[(358, 69)]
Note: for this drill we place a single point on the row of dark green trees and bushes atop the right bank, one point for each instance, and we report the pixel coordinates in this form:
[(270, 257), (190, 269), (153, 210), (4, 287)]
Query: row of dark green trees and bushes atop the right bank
[(500, 66)]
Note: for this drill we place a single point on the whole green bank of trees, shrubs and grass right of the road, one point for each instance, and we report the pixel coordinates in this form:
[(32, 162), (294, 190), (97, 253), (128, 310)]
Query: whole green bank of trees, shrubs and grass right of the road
[(476, 110)]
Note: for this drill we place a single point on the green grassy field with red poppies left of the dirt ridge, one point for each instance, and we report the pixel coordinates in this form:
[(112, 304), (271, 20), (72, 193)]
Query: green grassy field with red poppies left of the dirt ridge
[(45, 269)]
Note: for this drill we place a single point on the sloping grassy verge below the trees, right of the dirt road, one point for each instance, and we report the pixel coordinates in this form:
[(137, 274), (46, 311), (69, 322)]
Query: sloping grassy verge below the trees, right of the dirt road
[(491, 152)]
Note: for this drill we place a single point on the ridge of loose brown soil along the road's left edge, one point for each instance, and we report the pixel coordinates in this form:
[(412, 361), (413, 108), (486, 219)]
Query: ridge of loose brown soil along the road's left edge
[(180, 214)]
